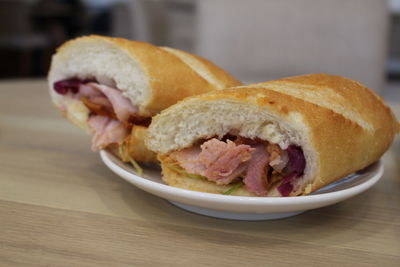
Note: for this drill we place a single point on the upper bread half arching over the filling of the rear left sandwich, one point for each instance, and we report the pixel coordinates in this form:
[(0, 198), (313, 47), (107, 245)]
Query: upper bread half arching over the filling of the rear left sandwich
[(164, 77)]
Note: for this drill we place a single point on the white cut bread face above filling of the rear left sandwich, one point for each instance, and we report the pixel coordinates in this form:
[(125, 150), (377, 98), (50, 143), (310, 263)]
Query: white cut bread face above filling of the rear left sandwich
[(104, 61)]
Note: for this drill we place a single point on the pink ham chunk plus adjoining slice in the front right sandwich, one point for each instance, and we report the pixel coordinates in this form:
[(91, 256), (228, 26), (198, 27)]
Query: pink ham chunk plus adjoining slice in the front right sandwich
[(222, 163)]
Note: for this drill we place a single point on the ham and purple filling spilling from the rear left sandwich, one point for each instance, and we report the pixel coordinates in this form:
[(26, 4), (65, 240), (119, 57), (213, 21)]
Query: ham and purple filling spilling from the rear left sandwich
[(111, 116)]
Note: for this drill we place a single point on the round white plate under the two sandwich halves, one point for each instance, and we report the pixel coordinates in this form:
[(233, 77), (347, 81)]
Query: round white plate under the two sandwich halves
[(244, 208)]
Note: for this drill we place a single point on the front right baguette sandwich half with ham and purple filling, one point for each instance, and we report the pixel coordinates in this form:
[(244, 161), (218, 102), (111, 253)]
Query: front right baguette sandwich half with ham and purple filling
[(280, 138)]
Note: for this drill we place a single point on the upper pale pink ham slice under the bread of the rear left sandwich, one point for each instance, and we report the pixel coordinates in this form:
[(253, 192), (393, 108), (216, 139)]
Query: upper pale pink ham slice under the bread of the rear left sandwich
[(122, 106)]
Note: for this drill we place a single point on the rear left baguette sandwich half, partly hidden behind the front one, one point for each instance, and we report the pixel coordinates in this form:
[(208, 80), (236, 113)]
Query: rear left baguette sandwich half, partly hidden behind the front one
[(112, 87)]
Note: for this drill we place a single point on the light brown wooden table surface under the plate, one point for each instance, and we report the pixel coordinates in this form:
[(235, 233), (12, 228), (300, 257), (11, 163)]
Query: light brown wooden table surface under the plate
[(60, 206)]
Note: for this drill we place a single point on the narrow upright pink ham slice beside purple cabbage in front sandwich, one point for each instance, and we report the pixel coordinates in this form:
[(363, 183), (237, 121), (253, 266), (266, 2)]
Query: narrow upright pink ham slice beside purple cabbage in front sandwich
[(256, 179)]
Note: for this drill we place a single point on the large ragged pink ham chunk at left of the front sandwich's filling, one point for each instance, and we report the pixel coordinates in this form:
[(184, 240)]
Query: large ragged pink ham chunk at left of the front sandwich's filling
[(216, 160)]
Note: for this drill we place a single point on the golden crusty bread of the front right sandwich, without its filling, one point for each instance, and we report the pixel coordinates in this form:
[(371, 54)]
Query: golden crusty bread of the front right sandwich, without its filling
[(341, 125)]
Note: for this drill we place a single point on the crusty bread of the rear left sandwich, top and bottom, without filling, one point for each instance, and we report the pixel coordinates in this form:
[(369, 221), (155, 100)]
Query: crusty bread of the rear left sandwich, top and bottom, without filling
[(152, 77)]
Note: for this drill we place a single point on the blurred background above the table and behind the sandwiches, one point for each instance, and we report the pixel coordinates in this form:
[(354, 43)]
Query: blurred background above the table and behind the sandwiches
[(255, 40)]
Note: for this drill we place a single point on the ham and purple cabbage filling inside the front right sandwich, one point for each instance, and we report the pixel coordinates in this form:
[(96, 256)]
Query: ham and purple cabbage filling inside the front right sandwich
[(257, 164)]
